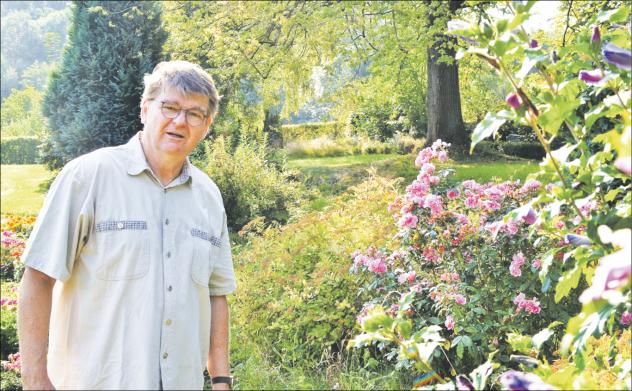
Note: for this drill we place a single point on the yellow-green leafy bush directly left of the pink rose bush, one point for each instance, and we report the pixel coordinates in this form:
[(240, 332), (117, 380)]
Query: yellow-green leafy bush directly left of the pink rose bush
[(297, 299)]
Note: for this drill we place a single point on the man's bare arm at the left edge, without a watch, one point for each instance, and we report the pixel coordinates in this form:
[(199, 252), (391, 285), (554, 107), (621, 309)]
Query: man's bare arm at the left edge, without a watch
[(35, 298)]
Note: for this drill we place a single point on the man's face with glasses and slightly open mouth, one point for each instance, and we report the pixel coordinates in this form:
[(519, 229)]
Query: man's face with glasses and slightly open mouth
[(173, 137)]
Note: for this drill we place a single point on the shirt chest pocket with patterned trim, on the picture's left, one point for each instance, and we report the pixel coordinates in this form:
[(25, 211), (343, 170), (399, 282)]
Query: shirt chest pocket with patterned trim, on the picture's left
[(123, 247)]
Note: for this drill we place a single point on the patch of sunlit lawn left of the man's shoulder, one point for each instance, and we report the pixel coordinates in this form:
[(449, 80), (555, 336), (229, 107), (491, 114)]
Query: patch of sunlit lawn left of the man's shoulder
[(21, 192)]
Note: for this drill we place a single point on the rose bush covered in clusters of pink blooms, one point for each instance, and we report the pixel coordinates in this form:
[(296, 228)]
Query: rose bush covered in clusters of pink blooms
[(458, 262)]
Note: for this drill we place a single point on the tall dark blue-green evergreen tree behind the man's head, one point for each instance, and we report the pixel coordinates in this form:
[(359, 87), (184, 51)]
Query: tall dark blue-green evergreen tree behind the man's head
[(93, 98)]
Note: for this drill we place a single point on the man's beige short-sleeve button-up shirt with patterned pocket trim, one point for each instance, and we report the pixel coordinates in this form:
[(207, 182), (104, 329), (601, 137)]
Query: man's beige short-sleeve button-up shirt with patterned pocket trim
[(136, 263)]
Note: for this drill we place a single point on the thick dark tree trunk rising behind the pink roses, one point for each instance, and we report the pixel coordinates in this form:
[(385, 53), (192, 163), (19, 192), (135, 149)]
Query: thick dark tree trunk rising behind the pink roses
[(445, 120)]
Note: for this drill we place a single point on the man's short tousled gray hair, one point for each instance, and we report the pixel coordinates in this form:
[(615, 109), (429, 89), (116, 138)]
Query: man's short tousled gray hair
[(187, 78)]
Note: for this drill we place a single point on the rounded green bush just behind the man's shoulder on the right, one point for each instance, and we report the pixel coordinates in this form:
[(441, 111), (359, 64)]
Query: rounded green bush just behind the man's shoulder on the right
[(251, 186)]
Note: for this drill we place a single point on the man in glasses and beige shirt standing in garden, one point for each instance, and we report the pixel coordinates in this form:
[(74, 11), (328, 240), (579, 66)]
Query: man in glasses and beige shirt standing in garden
[(129, 246)]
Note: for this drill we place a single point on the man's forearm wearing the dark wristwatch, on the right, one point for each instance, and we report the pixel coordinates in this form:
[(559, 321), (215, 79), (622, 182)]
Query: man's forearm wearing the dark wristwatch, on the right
[(218, 357)]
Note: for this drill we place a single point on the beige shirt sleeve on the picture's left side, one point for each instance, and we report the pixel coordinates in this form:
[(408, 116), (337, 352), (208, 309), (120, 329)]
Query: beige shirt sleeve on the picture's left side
[(62, 226)]
